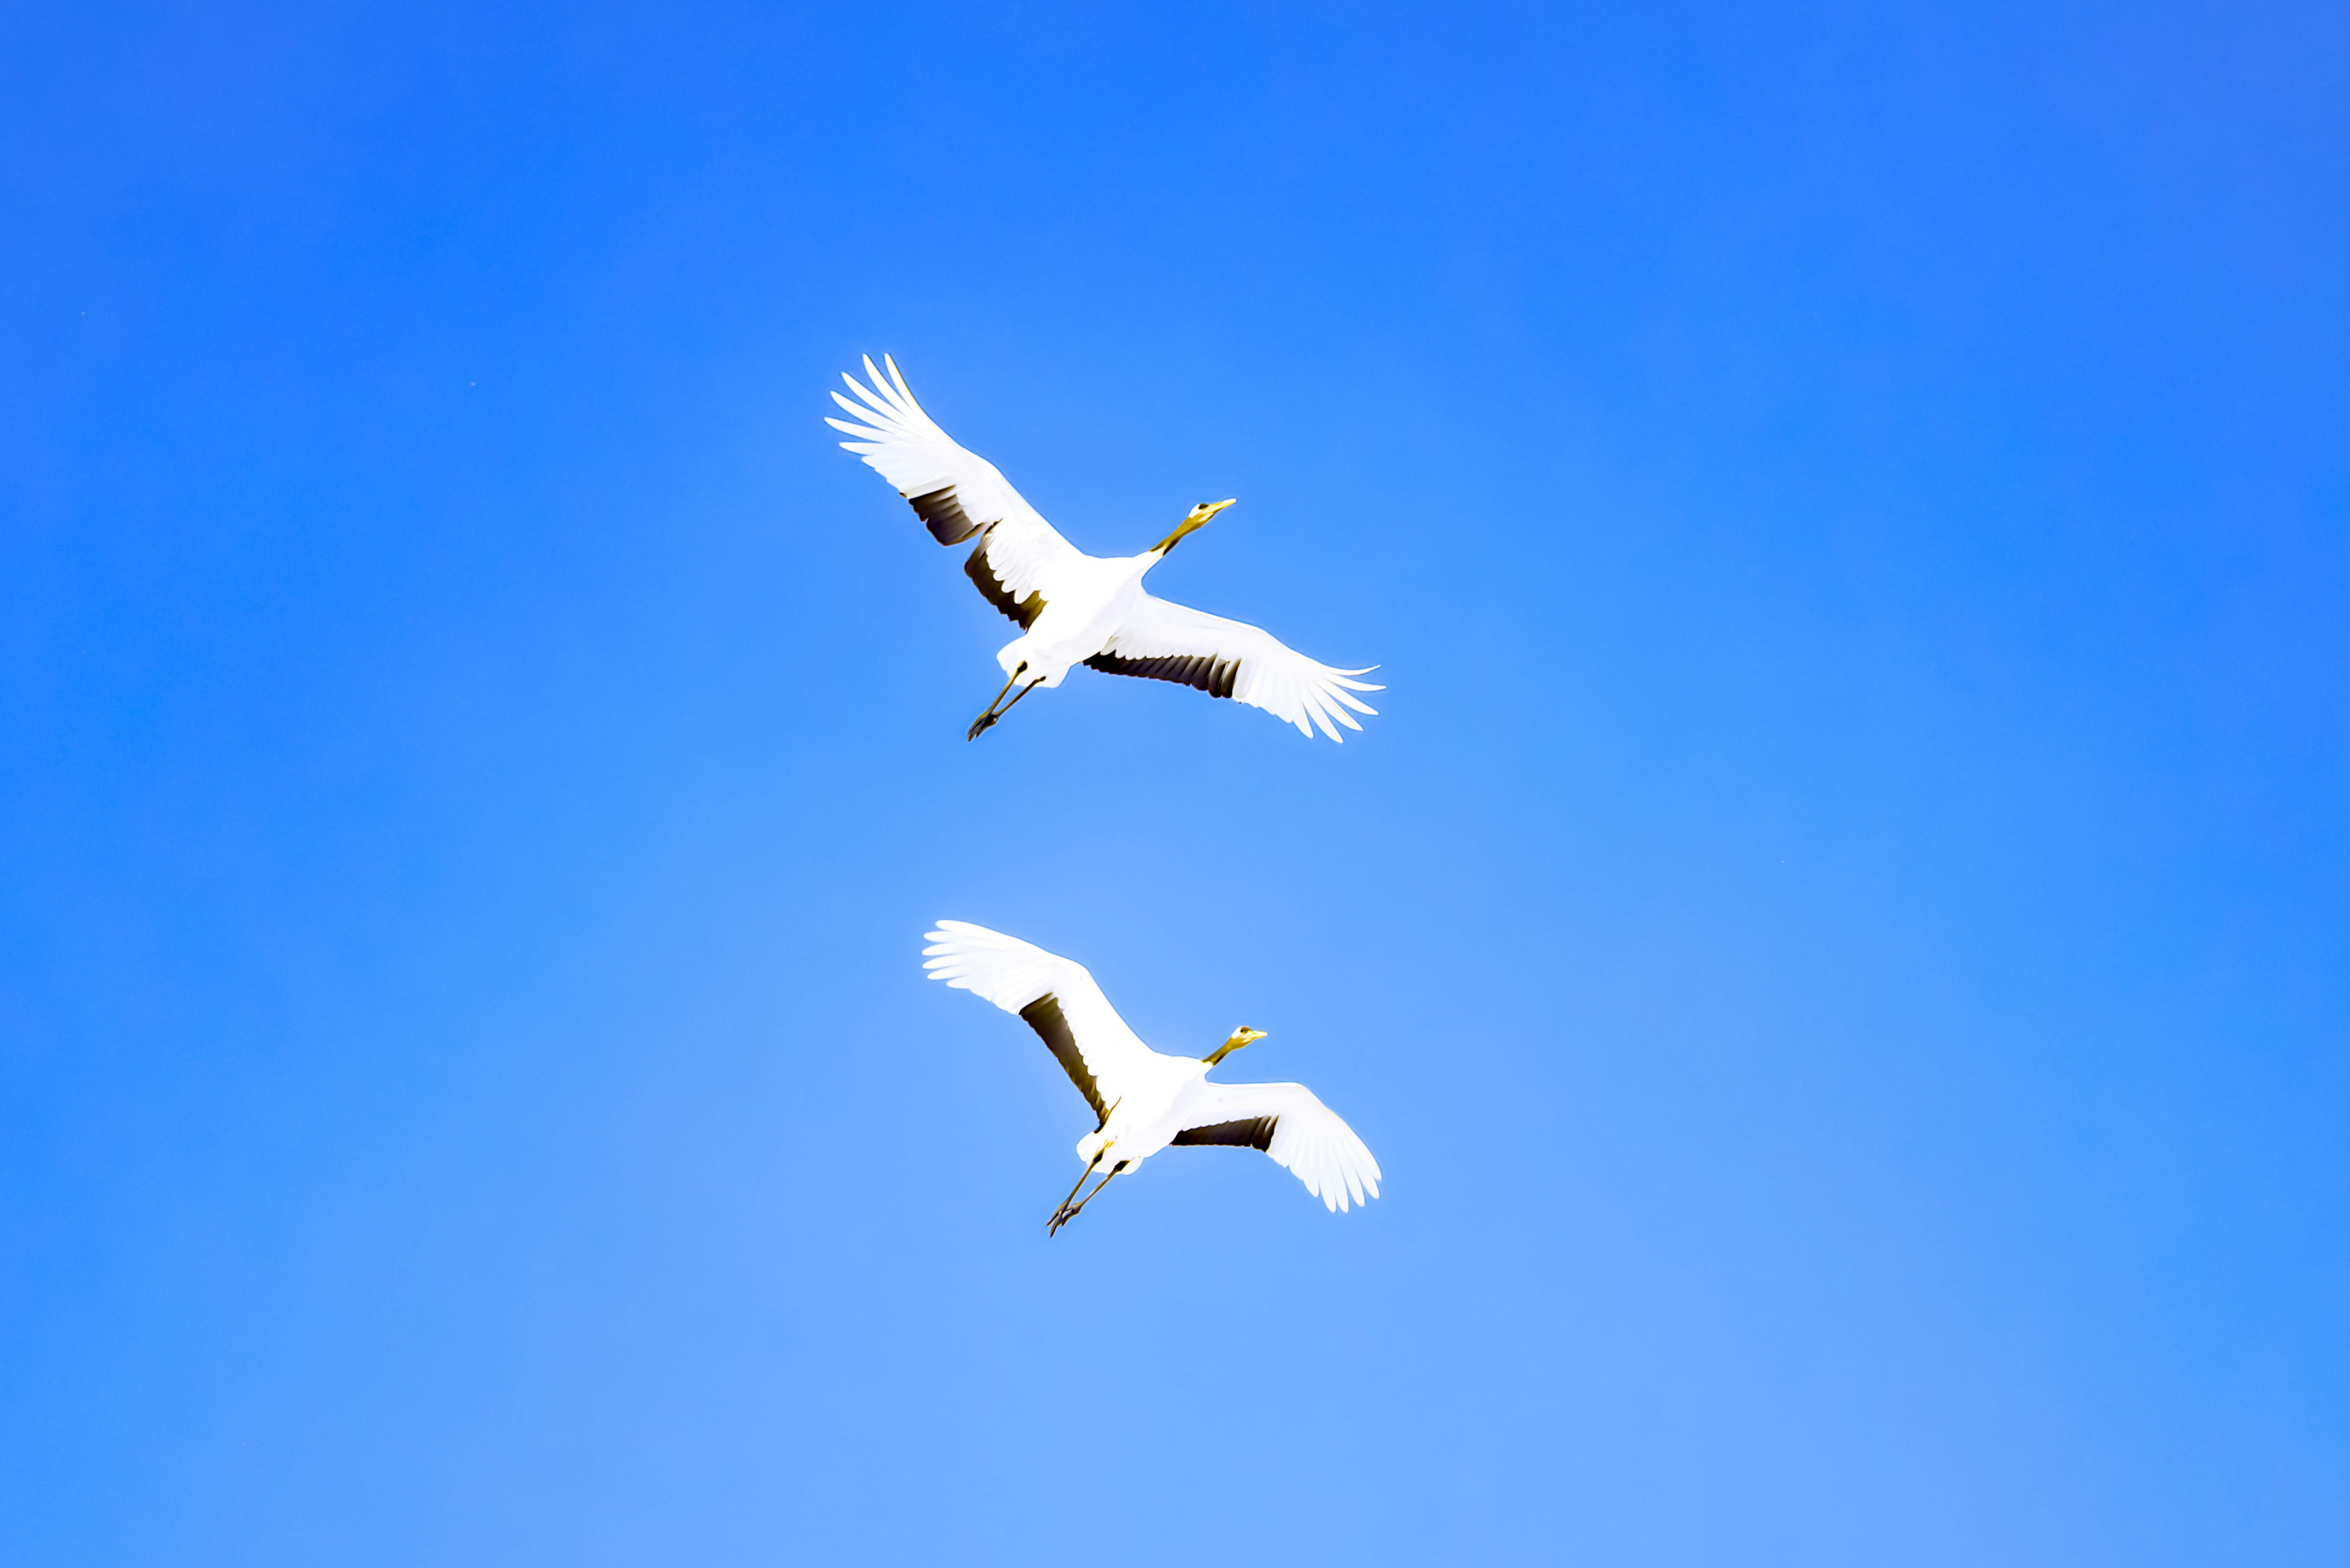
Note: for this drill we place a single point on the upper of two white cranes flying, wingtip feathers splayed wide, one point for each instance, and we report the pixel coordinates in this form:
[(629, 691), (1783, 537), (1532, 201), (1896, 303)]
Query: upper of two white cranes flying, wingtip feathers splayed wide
[(1075, 608)]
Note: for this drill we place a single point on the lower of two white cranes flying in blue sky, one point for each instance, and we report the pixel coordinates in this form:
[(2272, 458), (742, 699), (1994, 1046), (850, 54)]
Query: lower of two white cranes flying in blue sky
[(1146, 1099)]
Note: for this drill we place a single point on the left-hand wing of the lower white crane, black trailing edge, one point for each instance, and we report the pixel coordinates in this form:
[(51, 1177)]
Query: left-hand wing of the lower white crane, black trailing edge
[(1052, 996)]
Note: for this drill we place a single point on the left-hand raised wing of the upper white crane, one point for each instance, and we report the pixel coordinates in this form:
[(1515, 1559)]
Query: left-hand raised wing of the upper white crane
[(955, 492)]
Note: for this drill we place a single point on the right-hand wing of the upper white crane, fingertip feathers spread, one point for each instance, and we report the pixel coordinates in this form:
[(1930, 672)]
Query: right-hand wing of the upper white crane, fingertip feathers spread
[(1169, 641)]
